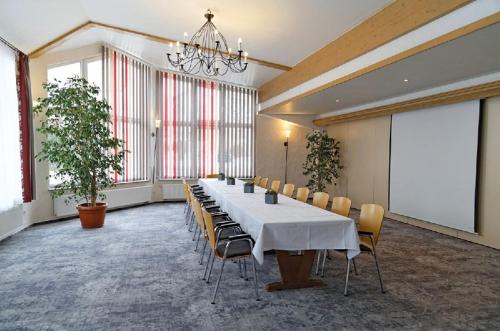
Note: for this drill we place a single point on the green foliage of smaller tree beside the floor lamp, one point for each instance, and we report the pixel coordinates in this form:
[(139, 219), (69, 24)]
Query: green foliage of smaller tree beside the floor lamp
[(322, 163)]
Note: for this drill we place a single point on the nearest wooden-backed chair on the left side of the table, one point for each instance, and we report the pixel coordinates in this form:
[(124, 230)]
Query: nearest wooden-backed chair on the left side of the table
[(234, 248)]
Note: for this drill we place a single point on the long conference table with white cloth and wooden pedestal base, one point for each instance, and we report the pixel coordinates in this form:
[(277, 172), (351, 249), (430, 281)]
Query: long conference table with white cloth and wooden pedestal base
[(293, 229)]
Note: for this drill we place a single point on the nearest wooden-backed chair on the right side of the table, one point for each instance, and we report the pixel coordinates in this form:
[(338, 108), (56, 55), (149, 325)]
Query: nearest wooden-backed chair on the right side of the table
[(369, 227)]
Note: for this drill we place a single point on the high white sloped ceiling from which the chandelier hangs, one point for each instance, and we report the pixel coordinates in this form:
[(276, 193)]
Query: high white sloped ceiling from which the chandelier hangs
[(279, 31)]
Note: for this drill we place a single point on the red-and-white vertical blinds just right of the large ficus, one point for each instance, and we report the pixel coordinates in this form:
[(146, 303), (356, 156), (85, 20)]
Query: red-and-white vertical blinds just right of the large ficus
[(127, 88)]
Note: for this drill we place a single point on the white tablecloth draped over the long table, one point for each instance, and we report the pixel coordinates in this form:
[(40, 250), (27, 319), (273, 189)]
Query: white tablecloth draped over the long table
[(288, 225)]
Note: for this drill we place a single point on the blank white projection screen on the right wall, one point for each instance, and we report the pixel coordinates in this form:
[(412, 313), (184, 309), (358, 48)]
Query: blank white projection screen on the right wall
[(433, 164)]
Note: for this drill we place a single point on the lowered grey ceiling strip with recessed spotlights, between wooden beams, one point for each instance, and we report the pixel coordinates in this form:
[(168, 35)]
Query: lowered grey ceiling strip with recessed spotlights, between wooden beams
[(469, 56)]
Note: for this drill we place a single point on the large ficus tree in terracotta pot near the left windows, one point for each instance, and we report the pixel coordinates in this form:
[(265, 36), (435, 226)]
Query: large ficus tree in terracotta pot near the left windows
[(79, 145)]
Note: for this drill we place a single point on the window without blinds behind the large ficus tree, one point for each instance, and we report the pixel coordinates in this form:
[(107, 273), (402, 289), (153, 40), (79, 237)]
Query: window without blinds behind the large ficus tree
[(91, 69)]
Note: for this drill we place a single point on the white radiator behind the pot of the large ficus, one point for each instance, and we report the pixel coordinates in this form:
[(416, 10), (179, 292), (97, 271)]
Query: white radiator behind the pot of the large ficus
[(115, 198)]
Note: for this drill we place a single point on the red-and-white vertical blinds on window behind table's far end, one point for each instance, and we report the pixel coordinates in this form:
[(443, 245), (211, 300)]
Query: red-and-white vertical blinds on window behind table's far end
[(206, 127)]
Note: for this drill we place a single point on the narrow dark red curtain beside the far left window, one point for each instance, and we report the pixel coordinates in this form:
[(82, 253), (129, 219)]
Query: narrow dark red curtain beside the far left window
[(25, 125)]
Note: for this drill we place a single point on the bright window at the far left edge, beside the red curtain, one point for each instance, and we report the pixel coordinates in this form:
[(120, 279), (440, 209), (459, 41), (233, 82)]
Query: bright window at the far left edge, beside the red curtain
[(11, 175)]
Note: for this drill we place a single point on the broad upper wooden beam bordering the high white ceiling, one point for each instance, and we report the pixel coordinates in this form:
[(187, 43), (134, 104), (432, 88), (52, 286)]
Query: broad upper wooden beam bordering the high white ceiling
[(395, 20)]
